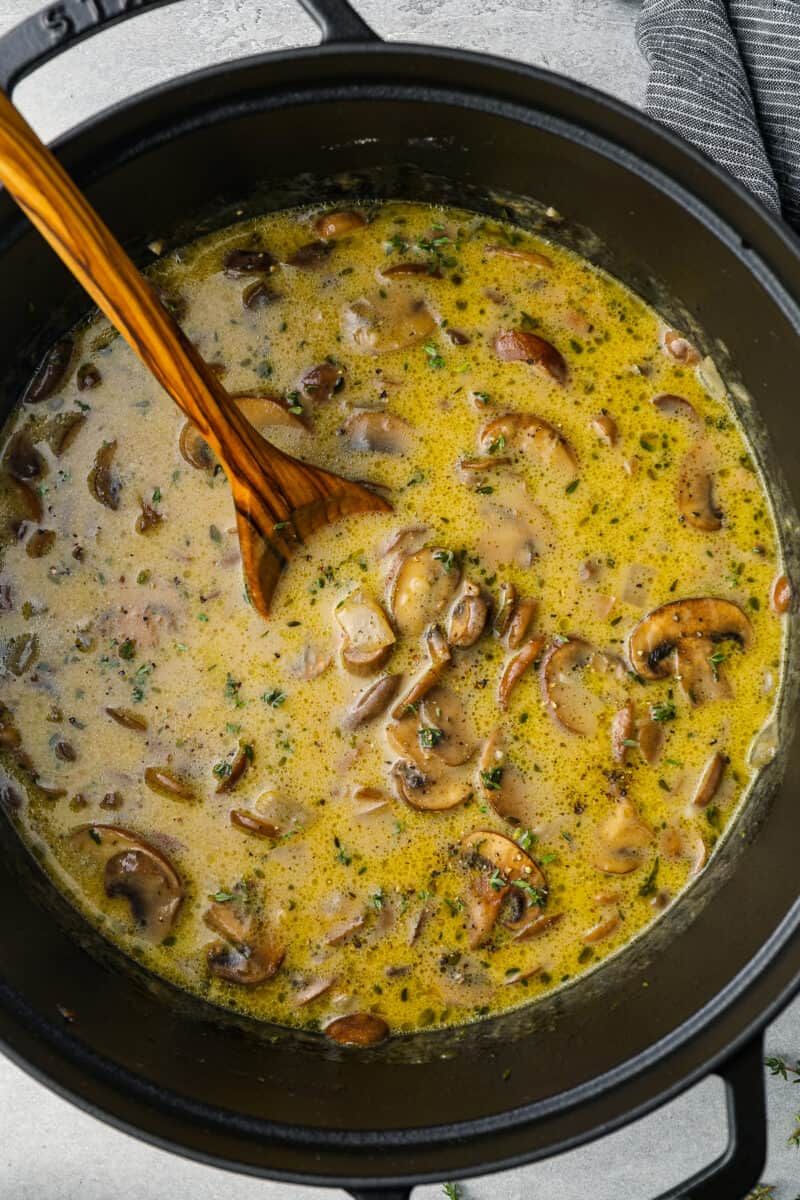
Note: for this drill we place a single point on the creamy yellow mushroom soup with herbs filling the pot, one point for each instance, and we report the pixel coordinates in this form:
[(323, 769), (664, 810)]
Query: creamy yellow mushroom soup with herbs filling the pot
[(485, 740)]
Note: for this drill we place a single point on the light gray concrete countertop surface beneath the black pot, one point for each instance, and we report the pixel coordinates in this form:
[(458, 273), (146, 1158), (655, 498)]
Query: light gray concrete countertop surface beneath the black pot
[(52, 1151)]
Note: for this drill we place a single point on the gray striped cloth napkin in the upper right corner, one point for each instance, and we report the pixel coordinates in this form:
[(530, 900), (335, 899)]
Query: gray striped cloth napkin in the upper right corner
[(726, 76)]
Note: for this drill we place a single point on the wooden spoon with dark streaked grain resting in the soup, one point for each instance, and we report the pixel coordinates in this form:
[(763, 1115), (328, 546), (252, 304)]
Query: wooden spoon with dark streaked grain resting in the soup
[(280, 501)]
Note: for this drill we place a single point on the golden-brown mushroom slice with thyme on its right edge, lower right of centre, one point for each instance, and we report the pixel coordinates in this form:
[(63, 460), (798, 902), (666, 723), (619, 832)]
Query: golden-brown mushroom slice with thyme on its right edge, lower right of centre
[(502, 874)]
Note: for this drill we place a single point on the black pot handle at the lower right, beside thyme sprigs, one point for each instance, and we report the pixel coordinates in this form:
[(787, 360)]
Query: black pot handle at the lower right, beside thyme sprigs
[(738, 1169)]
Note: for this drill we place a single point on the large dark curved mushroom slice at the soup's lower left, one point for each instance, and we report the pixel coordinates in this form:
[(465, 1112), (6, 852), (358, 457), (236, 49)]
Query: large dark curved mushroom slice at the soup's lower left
[(136, 872)]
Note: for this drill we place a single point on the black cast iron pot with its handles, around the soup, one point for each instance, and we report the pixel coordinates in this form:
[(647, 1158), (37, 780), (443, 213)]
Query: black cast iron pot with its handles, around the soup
[(690, 999)]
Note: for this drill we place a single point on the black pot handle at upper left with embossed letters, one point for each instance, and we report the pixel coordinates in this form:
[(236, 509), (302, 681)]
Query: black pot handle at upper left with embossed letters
[(61, 26)]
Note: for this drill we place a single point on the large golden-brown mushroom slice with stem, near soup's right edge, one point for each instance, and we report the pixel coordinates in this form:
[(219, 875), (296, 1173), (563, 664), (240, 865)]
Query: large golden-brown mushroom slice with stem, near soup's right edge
[(678, 640)]
